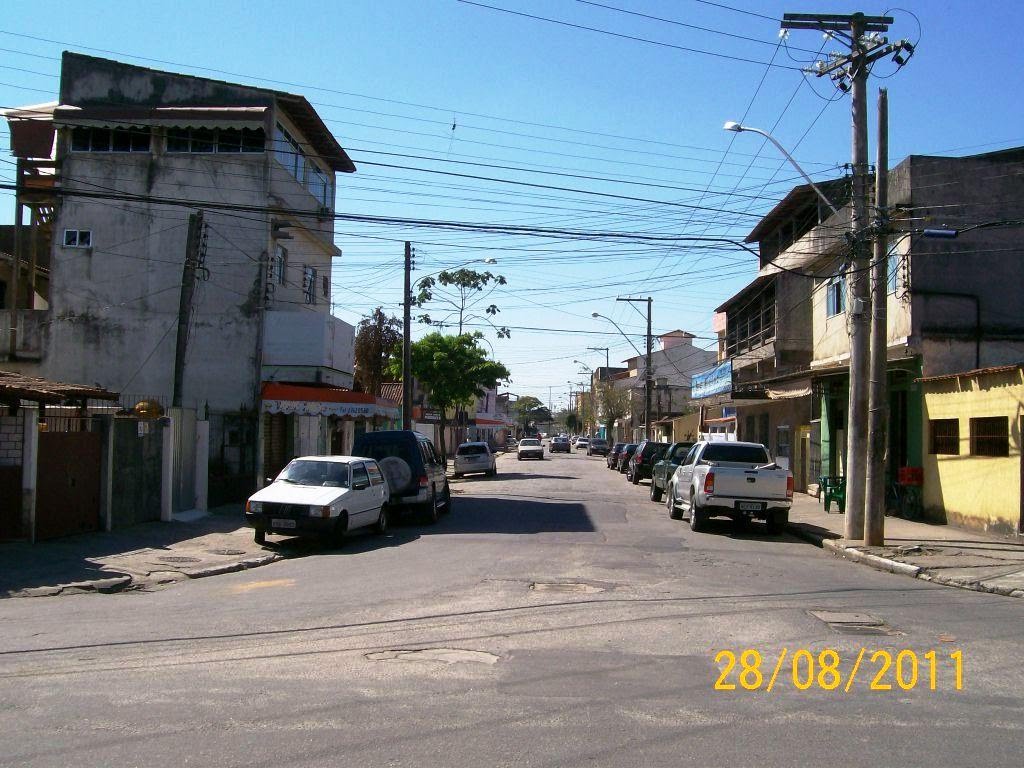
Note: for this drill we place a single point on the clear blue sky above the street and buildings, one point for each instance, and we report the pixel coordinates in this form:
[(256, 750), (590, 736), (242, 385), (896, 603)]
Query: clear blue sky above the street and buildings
[(628, 126)]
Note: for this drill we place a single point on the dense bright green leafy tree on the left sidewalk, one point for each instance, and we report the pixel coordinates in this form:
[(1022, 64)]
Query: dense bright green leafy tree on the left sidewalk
[(454, 370)]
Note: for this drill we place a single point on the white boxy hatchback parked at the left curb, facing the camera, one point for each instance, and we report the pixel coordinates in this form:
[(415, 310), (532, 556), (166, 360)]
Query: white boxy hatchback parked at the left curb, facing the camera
[(325, 496)]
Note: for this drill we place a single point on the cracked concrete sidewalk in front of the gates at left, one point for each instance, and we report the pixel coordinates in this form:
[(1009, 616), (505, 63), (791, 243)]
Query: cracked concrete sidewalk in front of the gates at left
[(140, 557)]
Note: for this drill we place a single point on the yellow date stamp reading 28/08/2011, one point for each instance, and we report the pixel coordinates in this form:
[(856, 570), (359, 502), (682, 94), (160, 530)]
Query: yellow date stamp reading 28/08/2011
[(879, 670)]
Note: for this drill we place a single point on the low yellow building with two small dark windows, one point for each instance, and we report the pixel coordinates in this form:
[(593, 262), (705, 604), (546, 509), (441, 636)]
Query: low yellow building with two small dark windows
[(973, 462)]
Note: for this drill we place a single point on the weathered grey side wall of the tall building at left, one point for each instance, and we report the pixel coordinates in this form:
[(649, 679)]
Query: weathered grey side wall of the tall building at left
[(115, 307)]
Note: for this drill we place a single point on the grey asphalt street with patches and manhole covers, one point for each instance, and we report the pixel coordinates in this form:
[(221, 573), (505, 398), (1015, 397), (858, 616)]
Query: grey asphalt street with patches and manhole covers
[(556, 618)]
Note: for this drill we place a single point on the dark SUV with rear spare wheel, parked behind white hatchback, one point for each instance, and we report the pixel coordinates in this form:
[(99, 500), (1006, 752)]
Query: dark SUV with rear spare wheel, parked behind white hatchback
[(413, 468)]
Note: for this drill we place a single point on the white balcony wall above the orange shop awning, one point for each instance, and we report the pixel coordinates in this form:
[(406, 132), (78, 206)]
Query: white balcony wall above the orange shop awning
[(309, 347)]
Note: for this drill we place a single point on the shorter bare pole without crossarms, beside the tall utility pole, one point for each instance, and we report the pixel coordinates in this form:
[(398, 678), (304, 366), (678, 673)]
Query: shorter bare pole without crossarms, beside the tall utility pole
[(878, 404)]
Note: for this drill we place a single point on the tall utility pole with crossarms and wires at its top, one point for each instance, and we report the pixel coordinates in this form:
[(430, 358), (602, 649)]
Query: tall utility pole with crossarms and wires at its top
[(863, 35)]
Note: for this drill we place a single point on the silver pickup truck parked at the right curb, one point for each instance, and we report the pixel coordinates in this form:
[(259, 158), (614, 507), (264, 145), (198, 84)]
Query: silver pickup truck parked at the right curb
[(731, 480)]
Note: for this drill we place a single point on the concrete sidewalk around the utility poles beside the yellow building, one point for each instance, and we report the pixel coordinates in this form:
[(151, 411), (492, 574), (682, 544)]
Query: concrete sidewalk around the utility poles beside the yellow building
[(933, 552)]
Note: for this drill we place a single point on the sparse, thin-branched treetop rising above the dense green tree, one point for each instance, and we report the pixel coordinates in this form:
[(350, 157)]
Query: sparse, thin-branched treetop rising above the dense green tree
[(460, 297)]
